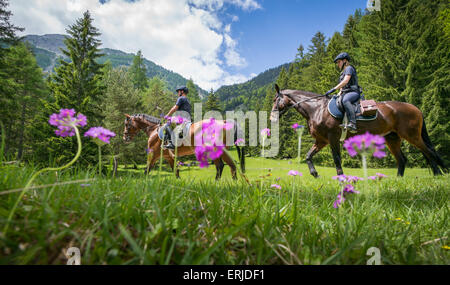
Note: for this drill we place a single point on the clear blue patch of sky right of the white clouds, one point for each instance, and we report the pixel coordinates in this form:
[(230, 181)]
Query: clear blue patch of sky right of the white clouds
[(270, 36)]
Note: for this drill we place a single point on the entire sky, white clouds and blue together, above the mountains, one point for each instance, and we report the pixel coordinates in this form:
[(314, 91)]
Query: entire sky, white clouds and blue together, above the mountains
[(214, 42)]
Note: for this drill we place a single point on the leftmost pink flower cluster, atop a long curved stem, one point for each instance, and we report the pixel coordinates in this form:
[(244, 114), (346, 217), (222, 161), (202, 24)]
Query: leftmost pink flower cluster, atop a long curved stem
[(66, 122)]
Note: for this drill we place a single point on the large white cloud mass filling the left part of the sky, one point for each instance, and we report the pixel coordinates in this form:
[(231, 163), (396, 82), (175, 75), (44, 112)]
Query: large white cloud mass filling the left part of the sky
[(185, 36)]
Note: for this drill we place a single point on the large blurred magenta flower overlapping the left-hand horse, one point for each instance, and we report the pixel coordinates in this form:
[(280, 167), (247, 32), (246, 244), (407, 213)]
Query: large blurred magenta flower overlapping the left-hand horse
[(208, 146)]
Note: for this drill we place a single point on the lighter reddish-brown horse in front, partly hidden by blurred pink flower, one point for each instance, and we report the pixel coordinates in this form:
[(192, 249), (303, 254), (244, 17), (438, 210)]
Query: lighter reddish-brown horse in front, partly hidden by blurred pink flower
[(151, 126)]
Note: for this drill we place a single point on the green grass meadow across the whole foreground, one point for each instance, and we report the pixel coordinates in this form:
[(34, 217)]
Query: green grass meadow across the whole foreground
[(133, 219)]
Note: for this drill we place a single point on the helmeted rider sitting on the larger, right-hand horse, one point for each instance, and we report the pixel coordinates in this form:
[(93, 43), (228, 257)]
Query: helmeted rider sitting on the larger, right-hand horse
[(349, 89)]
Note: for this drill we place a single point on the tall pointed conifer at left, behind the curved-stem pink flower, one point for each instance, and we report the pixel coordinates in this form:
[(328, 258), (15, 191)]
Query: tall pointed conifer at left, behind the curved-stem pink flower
[(77, 84)]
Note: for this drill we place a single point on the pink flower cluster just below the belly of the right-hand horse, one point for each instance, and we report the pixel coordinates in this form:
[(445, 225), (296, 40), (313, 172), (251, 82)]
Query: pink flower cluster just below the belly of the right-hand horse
[(364, 143)]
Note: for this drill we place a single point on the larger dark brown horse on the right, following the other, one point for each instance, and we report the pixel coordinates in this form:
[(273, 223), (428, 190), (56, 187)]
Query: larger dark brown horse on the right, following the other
[(396, 121)]
